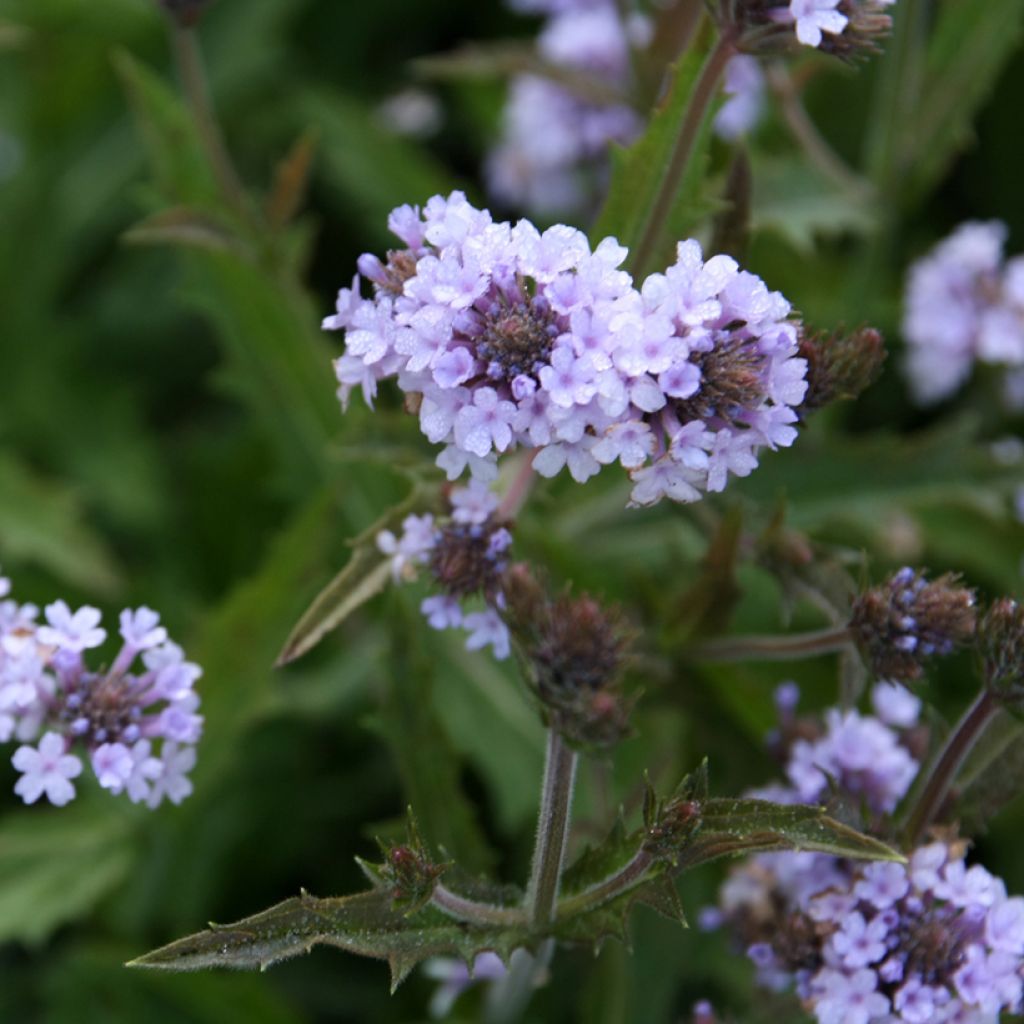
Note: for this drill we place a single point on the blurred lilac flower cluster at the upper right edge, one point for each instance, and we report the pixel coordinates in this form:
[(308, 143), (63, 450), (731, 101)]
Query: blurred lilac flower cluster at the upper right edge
[(965, 304)]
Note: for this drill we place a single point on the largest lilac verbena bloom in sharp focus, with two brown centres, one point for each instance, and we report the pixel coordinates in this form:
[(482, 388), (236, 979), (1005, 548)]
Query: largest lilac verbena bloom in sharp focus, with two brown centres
[(510, 337)]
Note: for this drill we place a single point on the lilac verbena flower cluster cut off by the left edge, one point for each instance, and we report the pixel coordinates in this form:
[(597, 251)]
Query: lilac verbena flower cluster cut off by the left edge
[(138, 726)]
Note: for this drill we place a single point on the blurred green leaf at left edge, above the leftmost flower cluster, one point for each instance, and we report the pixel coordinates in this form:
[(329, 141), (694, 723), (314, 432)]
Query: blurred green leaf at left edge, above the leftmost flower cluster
[(45, 523)]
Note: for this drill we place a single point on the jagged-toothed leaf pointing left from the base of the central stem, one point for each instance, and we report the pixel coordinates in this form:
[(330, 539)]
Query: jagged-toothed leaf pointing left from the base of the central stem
[(366, 924)]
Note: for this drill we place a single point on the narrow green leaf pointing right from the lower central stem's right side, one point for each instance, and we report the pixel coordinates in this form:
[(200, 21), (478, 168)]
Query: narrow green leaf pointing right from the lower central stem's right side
[(738, 827)]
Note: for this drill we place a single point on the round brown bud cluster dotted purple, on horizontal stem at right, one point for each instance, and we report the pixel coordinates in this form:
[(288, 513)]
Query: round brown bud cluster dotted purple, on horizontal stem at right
[(909, 620)]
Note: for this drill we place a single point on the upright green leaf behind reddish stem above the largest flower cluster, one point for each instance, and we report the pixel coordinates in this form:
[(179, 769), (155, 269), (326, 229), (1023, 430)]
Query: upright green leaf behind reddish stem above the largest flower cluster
[(641, 173)]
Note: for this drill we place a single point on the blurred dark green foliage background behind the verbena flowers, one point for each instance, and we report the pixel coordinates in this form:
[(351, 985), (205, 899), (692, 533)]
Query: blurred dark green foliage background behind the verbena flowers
[(169, 436)]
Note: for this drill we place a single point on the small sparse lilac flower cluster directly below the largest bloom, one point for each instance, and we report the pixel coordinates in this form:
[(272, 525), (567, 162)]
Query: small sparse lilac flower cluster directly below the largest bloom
[(466, 557)]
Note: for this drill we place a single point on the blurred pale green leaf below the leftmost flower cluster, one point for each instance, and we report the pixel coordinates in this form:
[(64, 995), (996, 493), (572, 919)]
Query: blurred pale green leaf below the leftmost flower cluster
[(57, 864)]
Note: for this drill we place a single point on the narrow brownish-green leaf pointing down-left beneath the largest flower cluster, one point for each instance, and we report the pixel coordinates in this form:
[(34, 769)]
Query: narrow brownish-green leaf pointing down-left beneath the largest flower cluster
[(365, 576)]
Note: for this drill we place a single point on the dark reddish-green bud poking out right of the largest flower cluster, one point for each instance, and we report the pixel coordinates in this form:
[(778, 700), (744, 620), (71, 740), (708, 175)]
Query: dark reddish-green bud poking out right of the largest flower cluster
[(840, 366)]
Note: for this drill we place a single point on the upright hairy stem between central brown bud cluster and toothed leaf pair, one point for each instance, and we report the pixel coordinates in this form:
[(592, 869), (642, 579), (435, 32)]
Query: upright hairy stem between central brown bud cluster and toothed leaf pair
[(552, 831)]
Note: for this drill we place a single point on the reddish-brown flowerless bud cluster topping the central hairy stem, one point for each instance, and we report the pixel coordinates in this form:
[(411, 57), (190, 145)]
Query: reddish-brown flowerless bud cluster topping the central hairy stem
[(576, 653)]
